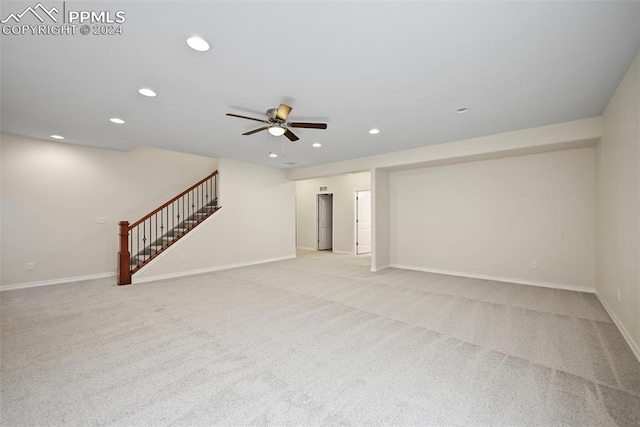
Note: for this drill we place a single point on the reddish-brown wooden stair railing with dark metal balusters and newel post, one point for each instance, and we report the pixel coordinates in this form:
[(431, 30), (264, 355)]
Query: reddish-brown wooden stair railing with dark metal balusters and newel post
[(146, 238)]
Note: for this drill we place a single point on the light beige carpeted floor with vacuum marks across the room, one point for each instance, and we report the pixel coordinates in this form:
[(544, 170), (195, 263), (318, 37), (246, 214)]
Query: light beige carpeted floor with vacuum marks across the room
[(317, 340)]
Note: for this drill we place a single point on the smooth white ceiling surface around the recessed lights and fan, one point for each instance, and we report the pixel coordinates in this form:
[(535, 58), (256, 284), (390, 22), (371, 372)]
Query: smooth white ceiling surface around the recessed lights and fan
[(404, 67)]
